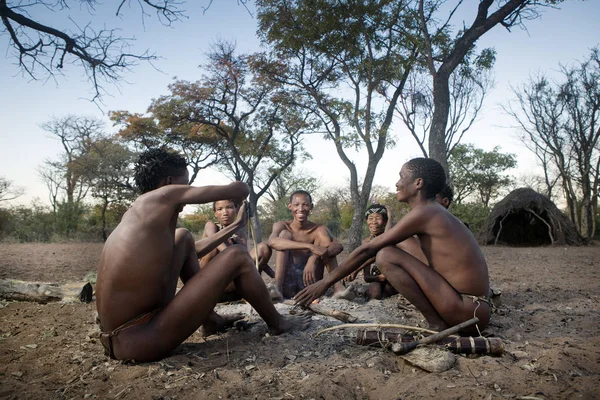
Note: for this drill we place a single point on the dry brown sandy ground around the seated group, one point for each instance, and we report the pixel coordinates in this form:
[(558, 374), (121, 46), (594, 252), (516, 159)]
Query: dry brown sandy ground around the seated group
[(549, 321)]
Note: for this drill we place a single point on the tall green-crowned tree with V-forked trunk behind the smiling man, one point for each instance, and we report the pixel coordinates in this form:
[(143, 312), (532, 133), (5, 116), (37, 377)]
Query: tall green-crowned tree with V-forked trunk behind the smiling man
[(341, 61)]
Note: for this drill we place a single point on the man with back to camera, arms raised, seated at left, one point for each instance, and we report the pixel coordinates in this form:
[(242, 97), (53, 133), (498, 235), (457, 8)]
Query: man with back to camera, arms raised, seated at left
[(141, 316)]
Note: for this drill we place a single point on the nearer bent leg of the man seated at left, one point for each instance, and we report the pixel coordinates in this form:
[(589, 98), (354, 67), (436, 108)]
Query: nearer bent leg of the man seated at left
[(195, 301)]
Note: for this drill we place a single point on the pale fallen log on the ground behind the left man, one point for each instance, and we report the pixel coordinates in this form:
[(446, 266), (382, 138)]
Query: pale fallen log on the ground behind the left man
[(45, 292)]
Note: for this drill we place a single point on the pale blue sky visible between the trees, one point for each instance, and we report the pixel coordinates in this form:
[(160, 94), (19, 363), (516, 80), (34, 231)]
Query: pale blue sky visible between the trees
[(559, 36)]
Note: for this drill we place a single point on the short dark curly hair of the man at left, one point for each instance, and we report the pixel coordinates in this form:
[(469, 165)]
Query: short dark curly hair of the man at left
[(156, 164)]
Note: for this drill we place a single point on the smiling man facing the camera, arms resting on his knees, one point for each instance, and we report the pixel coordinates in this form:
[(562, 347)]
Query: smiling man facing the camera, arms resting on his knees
[(303, 250)]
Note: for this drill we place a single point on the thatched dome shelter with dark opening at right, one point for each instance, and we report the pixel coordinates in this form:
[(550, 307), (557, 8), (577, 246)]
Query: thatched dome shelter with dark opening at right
[(527, 218)]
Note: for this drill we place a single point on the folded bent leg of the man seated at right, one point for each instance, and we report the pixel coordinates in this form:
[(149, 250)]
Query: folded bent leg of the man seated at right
[(433, 296)]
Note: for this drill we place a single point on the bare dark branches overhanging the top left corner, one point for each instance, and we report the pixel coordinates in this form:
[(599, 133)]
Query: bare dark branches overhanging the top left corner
[(42, 51)]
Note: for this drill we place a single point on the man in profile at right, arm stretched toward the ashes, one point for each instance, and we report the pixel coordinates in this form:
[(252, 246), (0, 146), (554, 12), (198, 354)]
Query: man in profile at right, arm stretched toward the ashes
[(454, 285)]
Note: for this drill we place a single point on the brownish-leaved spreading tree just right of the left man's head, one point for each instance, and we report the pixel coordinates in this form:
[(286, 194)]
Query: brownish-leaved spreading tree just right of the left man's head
[(257, 124)]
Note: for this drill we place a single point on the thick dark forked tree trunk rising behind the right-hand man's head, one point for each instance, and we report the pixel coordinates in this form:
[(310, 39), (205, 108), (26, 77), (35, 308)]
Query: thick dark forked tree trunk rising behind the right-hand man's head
[(444, 54)]
